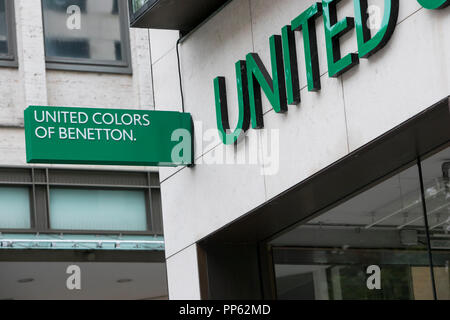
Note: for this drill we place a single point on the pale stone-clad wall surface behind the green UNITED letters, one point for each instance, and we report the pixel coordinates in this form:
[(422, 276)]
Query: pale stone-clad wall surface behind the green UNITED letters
[(410, 74)]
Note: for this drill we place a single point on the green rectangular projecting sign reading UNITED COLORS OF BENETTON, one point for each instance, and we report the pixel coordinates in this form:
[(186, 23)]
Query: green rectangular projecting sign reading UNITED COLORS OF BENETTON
[(63, 135)]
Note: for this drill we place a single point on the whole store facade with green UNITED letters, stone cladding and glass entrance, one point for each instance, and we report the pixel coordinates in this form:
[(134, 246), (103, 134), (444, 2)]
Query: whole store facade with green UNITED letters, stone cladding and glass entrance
[(349, 196)]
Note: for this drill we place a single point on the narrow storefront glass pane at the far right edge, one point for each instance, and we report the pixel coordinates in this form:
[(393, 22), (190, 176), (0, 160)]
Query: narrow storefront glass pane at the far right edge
[(435, 171)]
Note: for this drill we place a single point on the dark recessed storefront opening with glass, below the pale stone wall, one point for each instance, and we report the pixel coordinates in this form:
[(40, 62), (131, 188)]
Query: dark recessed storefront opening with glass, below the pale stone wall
[(374, 225)]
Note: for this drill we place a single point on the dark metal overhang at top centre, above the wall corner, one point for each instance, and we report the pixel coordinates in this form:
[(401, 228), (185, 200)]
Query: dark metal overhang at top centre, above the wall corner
[(172, 14)]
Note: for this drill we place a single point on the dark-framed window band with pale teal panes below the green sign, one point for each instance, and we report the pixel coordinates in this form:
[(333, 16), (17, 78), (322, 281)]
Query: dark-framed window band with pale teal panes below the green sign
[(40, 200)]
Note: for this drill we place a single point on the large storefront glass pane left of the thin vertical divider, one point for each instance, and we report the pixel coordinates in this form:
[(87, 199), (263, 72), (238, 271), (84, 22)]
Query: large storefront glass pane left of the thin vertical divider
[(372, 246)]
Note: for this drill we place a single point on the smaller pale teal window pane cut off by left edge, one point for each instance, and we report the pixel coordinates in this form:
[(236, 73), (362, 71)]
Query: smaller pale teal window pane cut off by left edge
[(14, 208)]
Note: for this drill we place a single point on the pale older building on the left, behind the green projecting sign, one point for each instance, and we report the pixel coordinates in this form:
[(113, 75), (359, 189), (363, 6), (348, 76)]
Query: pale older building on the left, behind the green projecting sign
[(105, 220)]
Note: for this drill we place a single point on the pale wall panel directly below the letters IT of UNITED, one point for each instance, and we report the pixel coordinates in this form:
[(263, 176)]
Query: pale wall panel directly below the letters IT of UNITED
[(311, 136)]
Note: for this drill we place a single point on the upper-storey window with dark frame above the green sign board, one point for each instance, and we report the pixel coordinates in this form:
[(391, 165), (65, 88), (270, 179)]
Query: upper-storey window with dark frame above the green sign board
[(83, 35)]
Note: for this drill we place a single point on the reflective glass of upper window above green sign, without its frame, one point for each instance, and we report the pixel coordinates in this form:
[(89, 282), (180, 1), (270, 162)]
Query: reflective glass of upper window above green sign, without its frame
[(83, 30)]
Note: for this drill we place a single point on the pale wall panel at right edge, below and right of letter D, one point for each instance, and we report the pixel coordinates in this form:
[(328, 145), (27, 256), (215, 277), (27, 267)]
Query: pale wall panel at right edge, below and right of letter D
[(409, 75)]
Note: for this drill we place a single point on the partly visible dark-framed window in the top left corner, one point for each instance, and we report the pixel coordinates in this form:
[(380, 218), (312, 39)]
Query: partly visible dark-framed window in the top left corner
[(8, 56)]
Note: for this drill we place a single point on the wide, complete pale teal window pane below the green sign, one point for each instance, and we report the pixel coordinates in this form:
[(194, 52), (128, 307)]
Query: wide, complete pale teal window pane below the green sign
[(110, 210)]
